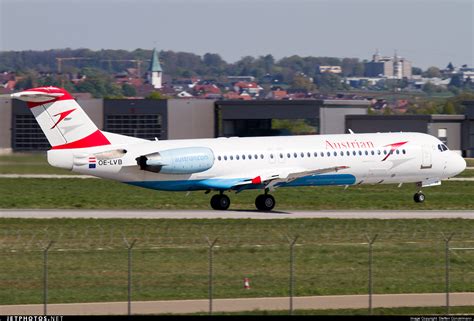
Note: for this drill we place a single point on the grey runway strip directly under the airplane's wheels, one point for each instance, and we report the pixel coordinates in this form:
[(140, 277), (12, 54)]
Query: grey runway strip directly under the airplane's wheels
[(210, 214)]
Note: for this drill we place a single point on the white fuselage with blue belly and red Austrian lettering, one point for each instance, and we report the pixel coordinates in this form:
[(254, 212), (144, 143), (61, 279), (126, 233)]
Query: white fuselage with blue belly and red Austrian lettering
[(380, 158)]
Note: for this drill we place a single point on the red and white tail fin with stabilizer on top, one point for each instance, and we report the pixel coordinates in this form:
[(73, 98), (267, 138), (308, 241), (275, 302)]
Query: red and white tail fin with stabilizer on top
[(62, 120)]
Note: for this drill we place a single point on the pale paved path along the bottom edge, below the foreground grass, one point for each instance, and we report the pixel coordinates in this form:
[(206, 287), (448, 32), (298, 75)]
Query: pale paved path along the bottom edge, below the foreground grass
[(245, 304)]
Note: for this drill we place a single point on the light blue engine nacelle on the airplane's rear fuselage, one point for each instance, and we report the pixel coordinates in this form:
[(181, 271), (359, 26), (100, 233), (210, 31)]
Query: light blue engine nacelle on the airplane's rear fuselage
[(188, 160)]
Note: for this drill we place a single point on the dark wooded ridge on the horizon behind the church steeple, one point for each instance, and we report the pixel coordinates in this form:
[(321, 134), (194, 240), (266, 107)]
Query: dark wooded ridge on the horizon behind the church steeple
[(175, 64)]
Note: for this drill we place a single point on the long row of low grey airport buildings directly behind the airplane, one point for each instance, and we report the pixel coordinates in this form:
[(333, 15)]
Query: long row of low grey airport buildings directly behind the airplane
[(205, 118)]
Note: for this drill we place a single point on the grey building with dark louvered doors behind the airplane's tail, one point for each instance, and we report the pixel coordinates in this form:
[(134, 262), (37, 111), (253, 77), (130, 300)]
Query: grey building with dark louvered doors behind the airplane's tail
[(149, 119)]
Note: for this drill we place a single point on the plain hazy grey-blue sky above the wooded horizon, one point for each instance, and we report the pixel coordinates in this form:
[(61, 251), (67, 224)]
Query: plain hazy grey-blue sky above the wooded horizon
[(427, 32)]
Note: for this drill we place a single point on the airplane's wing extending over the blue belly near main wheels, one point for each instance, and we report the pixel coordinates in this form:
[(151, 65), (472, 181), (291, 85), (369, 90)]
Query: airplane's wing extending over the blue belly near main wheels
[(285, 176)]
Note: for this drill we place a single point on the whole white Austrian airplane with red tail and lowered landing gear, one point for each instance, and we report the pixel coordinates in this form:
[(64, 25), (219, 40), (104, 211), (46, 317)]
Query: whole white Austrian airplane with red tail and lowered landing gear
[(236, 164)]
